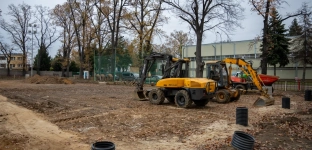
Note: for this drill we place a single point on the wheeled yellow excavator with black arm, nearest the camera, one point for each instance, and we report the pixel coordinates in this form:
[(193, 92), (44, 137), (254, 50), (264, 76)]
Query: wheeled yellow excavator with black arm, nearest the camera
[(175, 86)]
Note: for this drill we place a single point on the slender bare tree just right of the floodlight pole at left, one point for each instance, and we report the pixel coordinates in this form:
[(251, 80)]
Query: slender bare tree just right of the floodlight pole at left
[(47, 33)]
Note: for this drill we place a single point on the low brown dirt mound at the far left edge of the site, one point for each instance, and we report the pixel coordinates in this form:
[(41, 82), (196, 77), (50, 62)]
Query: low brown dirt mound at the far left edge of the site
[(36, 79)]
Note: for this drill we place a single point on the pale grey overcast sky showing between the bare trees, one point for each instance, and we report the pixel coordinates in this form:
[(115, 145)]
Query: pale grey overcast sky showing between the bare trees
[(252, 24)]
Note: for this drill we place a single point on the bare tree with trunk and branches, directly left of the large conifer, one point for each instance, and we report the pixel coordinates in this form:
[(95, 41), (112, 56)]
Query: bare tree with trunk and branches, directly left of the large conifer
[(264, 8)]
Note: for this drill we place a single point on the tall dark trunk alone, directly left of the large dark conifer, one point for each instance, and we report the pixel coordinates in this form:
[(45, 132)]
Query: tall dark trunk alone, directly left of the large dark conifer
[(265, 40)]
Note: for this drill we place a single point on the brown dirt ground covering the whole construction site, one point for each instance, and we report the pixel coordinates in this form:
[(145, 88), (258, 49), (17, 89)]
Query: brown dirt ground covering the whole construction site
[(73, 115)]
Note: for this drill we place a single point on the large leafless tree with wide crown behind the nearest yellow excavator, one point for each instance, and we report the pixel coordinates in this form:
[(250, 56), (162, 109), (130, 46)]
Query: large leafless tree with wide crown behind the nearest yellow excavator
[(207, 15)]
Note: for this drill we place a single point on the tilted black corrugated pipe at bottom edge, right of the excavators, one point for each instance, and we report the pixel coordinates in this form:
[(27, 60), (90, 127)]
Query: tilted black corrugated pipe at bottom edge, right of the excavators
[(242, 141)]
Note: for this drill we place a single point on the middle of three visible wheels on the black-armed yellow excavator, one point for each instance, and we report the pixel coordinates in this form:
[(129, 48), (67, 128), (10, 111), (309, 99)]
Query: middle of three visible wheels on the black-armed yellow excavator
[(182, 99)]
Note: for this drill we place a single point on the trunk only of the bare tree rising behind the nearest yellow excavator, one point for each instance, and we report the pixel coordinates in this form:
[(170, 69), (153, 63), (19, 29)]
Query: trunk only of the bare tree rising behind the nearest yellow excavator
[(199, 63)]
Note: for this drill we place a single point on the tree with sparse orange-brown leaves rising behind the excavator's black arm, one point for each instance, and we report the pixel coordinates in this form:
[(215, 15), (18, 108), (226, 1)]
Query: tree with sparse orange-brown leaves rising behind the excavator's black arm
[(143, 17)]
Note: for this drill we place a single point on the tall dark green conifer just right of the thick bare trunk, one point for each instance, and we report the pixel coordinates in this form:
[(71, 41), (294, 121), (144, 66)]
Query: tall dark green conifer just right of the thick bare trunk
[(279, 44)]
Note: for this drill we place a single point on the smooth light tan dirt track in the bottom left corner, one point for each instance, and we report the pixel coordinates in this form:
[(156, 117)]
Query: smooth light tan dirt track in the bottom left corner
[(27, 129)]
